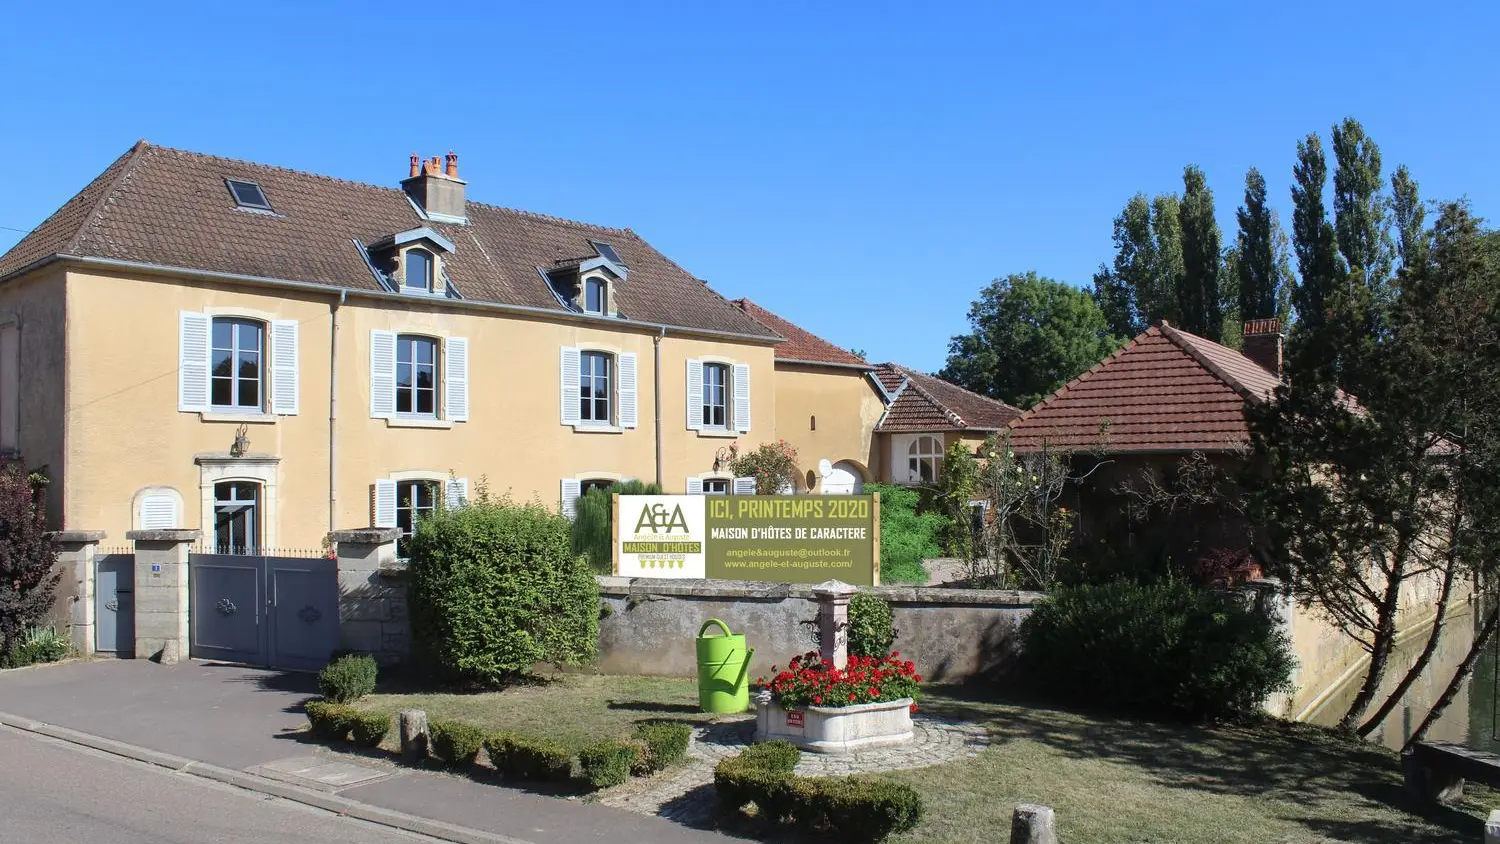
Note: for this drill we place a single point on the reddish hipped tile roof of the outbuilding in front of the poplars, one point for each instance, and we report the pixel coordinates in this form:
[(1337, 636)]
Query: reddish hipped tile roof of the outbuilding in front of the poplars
[(1166, 391)]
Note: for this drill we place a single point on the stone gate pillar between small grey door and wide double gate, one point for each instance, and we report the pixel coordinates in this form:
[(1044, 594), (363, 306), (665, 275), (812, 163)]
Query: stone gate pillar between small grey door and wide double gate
[(161, 594)]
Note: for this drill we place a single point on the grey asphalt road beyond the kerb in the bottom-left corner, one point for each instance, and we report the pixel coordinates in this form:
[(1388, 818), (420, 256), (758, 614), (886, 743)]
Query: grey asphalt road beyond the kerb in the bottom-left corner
[(58, 794)]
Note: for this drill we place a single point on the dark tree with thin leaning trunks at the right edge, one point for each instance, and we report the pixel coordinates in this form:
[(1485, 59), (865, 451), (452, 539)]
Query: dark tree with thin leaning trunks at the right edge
[(1363, 500)]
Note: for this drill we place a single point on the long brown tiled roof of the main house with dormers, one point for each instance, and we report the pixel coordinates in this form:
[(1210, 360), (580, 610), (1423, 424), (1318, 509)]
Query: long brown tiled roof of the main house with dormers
[(170, 208)]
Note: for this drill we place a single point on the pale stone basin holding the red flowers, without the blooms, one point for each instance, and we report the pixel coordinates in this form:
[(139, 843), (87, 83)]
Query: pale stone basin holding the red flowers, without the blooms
[(835, 729)]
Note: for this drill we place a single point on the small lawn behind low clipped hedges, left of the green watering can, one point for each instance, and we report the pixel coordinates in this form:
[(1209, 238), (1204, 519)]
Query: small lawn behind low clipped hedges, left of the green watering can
[(575, 710)]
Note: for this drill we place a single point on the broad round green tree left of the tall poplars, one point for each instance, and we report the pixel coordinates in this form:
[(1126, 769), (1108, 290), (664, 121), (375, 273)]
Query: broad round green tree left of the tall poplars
[(1030, 337)]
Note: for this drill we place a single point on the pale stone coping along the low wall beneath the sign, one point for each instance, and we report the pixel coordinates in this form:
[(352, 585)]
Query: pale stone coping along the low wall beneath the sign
[(754, 590)]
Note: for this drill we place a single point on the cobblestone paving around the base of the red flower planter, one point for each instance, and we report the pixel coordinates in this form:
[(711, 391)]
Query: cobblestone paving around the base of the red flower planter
[(686, 794)]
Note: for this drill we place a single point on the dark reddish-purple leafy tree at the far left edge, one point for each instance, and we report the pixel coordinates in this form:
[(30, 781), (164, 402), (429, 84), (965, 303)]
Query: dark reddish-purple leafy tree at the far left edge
[(28, 560)]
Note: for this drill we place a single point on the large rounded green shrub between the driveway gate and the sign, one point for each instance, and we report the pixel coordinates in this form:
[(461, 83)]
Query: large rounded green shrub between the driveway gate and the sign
[(496, 588)]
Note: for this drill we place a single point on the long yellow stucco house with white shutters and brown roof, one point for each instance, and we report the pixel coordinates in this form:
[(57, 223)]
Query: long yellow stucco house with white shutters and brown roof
[(269, 355)]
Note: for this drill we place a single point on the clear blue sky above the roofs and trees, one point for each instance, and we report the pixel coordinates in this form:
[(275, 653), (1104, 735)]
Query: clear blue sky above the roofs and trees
[(860, 169)]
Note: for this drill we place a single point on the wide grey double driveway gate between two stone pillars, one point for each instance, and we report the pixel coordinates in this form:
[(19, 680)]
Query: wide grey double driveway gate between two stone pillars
[(265, 611)]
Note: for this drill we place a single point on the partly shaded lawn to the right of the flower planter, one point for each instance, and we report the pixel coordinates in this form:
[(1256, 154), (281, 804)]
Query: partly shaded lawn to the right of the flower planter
[(1120, 782)]
